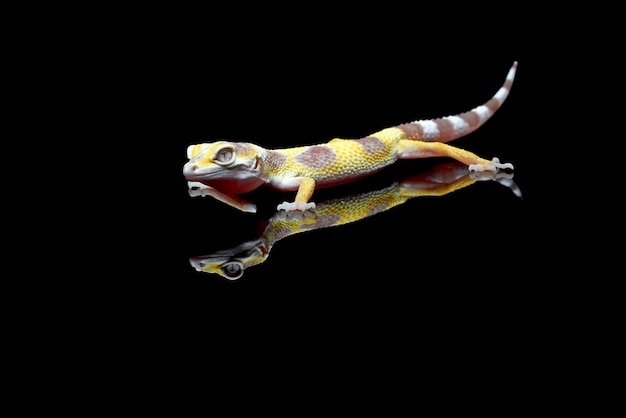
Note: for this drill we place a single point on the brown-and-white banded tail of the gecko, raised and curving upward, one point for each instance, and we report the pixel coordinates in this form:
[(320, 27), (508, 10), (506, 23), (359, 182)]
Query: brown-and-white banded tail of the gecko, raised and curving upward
[(452, 127)]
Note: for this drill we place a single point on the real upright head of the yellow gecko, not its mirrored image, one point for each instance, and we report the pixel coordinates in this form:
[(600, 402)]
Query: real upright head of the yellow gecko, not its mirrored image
[(231, 167)]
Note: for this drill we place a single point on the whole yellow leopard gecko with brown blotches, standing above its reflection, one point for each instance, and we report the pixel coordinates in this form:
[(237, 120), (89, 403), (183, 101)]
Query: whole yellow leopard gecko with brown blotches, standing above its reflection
[(227, 169)]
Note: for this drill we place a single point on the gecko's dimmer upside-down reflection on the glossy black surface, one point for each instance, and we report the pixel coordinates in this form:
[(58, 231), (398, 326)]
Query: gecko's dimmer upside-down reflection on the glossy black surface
[(440, 180)]
